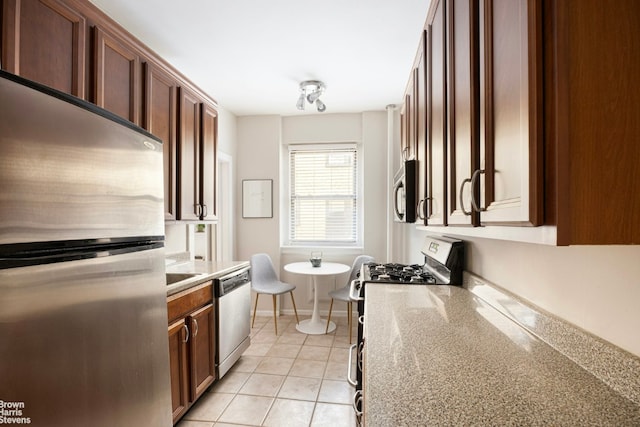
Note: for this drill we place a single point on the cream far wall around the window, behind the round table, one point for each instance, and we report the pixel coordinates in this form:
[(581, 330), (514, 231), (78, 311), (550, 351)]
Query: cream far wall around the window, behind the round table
[(261, 142)]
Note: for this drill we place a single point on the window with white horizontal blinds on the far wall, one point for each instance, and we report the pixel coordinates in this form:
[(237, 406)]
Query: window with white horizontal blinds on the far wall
[(324, 195)]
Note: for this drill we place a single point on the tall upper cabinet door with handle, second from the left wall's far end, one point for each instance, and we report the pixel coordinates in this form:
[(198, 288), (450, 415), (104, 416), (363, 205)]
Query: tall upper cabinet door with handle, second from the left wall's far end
[(189, 156)]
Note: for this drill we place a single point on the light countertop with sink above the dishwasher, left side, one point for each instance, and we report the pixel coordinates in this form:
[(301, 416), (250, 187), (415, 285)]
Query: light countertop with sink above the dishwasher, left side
[(202, 271)]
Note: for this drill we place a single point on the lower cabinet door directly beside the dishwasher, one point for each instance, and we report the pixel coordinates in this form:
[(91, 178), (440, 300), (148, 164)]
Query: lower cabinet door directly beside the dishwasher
[(202, 348)]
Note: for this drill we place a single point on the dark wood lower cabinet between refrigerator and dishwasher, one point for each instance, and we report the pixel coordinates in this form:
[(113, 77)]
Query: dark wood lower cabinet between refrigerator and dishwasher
[(192, 346)]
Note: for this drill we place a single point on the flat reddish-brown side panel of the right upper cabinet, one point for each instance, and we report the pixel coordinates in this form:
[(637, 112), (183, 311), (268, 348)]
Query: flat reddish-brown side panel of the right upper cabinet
[(592, 147)]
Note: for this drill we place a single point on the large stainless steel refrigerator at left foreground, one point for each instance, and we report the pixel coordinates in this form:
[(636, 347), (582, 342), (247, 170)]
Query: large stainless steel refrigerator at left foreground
[(83, 317)]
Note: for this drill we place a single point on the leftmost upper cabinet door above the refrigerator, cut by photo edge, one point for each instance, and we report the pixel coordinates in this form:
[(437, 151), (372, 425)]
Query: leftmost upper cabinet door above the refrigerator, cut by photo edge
[(44, 41)]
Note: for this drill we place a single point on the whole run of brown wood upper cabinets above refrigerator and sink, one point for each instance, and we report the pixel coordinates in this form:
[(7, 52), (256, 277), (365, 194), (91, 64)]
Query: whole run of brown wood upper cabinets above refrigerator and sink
[(53, 42)]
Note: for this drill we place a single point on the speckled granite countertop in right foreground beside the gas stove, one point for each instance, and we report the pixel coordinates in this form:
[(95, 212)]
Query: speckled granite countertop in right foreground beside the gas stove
[(442, 356)]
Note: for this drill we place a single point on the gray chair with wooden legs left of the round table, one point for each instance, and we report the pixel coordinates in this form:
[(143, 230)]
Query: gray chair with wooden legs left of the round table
[(264, 280)]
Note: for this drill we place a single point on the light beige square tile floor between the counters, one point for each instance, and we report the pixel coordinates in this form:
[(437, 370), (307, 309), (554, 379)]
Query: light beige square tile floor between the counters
[(291, 379)]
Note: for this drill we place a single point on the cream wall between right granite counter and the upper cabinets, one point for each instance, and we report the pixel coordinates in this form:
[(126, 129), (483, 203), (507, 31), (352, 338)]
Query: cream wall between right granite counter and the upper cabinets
[(596, 288)]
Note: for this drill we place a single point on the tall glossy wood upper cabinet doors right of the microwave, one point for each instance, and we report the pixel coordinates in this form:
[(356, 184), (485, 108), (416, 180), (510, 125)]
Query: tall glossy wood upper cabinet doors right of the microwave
[(484, 147)]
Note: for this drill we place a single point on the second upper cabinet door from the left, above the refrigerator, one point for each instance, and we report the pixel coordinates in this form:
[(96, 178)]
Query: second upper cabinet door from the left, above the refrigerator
[(116, 76)]
